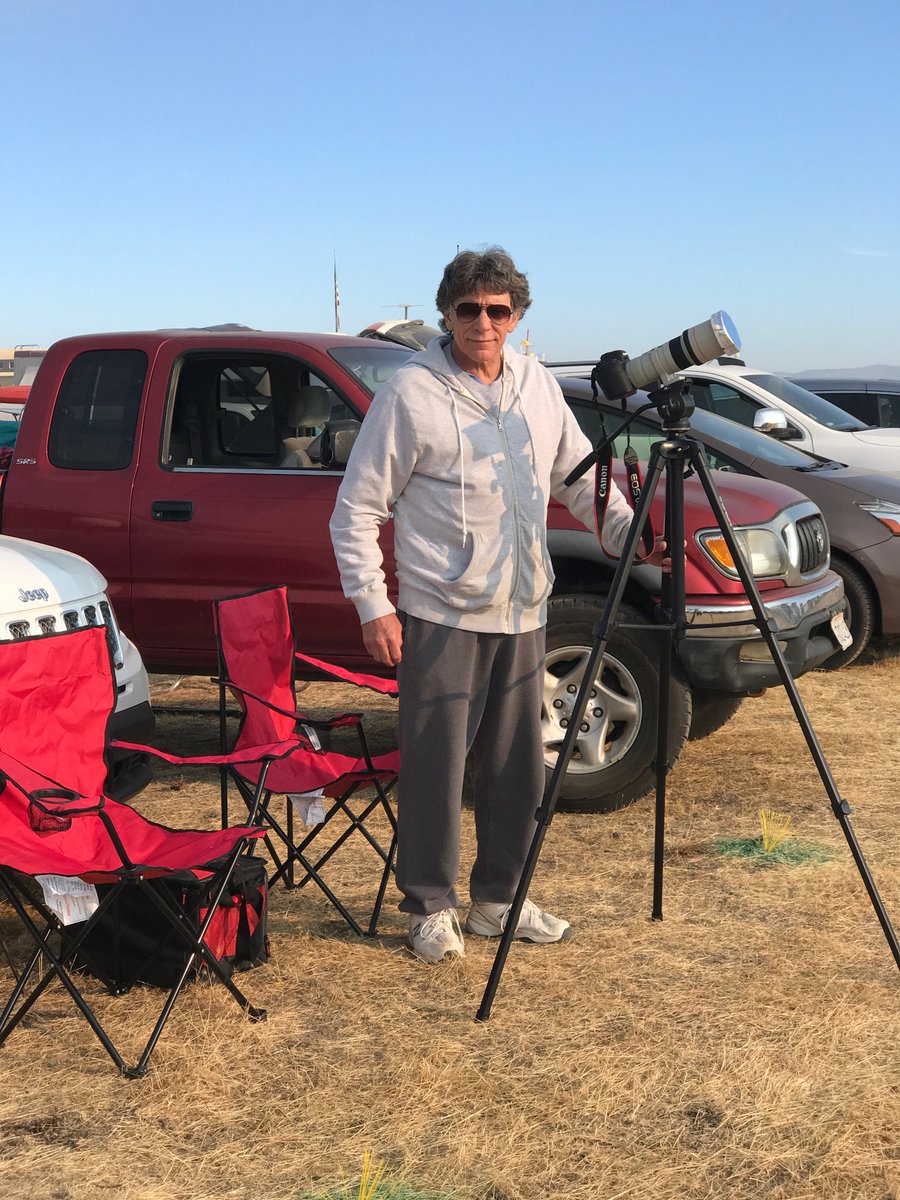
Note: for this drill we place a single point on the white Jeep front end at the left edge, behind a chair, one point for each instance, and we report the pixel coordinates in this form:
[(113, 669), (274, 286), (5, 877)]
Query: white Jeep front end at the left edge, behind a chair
[(46, 591)]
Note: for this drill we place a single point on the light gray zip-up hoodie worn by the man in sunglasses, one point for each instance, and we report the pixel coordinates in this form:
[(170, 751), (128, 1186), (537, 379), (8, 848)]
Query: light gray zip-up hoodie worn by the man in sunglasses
[(469, 489)]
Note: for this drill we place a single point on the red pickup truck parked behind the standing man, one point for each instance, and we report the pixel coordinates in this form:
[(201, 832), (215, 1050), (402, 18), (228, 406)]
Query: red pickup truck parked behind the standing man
[(189, 465)]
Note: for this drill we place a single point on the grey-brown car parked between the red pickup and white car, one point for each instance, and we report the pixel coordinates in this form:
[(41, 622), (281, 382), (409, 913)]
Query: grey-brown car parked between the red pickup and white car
[(861, 509)]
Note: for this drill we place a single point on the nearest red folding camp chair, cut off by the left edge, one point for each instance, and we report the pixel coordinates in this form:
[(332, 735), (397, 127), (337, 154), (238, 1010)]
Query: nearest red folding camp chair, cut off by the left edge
[(59, 831)]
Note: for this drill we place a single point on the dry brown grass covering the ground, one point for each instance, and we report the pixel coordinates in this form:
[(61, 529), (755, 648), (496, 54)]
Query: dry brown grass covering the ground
[(745, 1047)]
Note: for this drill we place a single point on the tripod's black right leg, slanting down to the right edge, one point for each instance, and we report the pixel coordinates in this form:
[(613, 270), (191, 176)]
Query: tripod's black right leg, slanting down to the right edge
[(767, 628)]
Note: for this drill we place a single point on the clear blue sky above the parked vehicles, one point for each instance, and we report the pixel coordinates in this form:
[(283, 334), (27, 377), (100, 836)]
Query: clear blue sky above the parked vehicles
[(646, 163)]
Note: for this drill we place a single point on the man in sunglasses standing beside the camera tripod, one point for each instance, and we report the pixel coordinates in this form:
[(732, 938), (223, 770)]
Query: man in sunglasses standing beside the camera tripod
[(465, 446)]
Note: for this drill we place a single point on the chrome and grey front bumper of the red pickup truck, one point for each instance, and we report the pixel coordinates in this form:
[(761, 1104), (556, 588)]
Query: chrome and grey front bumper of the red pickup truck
[(724, 650)]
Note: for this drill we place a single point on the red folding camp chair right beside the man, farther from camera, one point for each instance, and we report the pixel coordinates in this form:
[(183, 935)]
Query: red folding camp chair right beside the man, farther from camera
[(257, 664)]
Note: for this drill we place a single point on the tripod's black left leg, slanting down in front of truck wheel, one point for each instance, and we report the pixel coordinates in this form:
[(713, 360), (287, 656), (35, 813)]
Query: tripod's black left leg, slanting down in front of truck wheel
[(545, 813)]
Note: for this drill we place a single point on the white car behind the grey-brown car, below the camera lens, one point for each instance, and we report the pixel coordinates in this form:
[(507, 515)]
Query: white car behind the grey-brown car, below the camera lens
[(794, 415)]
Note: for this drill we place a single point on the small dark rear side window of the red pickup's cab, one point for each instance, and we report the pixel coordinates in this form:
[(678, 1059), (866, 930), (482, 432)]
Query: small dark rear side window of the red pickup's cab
[(97, 412)]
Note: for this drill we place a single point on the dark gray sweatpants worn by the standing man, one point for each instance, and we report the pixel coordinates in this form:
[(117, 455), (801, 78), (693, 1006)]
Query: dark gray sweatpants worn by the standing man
[(464, 693)]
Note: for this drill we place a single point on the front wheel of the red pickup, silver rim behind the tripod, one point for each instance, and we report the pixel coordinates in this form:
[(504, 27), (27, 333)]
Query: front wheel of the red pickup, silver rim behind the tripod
[(613, 763)]
